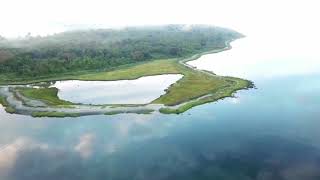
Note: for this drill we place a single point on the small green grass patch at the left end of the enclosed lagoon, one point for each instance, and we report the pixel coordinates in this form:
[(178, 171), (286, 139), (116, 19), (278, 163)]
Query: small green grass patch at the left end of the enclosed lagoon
[(47, 95)]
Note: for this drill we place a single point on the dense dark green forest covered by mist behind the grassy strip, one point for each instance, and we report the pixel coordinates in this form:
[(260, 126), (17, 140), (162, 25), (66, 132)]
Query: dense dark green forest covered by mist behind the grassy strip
[(103, 49)]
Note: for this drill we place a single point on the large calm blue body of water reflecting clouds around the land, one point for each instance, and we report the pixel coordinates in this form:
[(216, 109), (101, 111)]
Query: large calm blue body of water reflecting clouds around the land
[(268, 133)]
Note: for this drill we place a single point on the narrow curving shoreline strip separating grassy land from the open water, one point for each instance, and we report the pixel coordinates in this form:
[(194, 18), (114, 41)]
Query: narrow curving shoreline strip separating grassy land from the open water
[(82, 110)]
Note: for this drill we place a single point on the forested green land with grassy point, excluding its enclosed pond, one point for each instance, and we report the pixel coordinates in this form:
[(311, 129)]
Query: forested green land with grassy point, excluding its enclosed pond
[(28, 66)]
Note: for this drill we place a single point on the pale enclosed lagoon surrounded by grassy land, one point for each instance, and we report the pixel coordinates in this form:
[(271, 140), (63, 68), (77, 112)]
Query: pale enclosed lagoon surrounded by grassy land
[(139, 91)]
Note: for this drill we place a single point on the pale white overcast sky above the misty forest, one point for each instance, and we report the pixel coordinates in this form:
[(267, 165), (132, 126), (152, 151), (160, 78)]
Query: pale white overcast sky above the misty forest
[(19, 17)]
